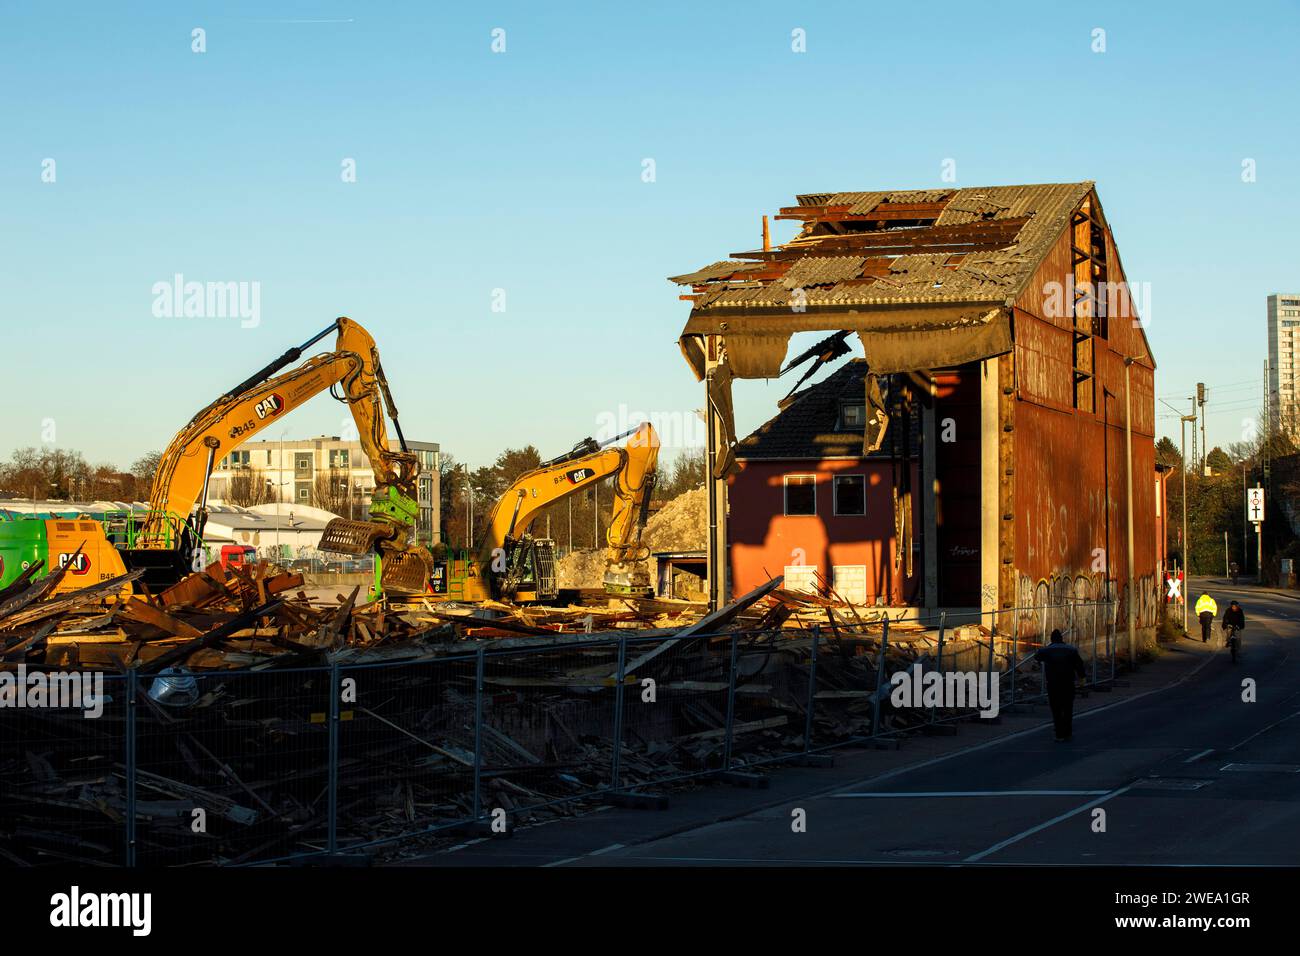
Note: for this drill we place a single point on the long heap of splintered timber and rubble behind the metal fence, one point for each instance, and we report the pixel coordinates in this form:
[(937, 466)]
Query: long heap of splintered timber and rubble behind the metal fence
[(233, 712)]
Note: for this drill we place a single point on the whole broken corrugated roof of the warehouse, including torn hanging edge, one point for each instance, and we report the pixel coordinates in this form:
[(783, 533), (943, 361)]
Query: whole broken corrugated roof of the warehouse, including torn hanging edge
[(926, 278)]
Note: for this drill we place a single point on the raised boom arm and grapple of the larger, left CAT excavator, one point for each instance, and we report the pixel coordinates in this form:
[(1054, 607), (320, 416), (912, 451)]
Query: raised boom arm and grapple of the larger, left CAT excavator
[(167, 546)]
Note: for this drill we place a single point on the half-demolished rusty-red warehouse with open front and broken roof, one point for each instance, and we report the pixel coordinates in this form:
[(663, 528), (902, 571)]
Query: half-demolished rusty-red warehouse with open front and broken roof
[(1002, 412)]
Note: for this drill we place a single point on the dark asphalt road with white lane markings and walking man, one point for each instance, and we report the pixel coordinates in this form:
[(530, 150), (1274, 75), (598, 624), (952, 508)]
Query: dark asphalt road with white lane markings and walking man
[(1189, 775)]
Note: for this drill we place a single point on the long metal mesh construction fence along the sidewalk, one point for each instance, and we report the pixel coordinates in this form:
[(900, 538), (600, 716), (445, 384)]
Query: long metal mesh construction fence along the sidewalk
[(397, 758)]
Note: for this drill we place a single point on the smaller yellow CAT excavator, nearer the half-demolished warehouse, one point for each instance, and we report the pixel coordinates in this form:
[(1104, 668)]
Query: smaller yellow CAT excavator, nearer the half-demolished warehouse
[(512, 565)]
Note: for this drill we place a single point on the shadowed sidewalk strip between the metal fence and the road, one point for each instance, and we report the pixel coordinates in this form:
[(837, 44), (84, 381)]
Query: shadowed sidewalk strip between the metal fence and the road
[(605, 829)]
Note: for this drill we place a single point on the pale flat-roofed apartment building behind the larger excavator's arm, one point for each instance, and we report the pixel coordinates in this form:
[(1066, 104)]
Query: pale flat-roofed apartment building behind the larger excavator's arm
[(328, 471)]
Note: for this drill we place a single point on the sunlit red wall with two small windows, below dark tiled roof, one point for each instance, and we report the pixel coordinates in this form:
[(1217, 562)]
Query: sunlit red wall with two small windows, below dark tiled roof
[(764, 540)]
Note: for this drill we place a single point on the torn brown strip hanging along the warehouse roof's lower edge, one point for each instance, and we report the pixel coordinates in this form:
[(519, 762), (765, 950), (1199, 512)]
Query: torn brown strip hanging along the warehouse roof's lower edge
[(898, 339)]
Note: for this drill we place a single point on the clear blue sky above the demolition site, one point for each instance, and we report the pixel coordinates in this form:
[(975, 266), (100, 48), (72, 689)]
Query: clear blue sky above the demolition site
[(523, 171)]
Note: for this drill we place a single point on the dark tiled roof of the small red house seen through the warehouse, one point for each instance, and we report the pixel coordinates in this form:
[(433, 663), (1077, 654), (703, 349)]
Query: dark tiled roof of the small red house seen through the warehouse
[(808, 427)]
